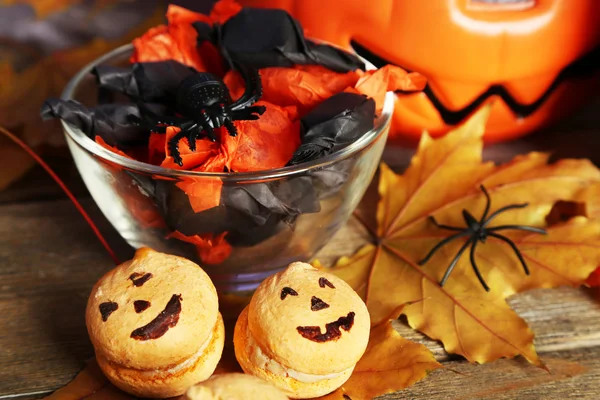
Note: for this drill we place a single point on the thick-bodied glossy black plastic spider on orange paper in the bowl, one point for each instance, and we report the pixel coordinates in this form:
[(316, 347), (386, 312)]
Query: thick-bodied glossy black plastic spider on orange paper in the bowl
[(204, 103)]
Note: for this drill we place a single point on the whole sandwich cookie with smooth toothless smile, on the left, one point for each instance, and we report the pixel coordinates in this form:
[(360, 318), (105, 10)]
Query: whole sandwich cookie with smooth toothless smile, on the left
[(155, 325)]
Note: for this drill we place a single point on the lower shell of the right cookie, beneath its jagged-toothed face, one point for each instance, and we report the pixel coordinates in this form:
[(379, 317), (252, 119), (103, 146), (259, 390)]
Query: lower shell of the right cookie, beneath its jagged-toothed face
[(293, 388)]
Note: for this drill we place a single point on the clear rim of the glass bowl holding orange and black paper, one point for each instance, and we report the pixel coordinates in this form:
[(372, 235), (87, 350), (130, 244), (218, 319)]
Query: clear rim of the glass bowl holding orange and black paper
[(91, 146)]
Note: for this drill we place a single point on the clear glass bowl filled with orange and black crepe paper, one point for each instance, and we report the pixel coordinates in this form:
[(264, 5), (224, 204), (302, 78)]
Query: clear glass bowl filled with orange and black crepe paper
[(278, 216)]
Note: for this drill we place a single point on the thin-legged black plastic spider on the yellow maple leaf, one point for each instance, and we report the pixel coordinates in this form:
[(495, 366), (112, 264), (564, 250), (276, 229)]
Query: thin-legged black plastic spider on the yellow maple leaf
[(477, 231)]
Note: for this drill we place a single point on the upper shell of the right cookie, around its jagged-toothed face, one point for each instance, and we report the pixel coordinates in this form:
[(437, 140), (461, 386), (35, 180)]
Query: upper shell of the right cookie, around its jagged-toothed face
[(274, 321)]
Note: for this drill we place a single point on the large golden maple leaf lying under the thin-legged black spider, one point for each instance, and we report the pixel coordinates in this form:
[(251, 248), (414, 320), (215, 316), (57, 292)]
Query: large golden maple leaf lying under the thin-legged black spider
[(442, 180)]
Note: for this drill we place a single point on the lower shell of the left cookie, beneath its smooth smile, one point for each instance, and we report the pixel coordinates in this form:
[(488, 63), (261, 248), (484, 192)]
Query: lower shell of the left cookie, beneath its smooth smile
[(167, 384)]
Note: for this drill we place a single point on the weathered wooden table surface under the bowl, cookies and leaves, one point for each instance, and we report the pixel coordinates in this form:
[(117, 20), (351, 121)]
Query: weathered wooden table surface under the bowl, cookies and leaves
[(49, 260)]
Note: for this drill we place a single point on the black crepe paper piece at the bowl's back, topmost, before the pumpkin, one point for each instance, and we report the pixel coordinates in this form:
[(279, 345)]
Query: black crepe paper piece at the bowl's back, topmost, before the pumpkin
[(264, 37)]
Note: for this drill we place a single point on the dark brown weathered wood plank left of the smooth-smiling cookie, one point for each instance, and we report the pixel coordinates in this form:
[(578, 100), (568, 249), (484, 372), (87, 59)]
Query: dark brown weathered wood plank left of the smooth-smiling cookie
[(49, 259)]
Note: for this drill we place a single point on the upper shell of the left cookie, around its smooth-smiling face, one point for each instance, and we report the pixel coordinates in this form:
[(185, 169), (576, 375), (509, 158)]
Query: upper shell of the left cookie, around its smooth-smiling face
[(170, 276)]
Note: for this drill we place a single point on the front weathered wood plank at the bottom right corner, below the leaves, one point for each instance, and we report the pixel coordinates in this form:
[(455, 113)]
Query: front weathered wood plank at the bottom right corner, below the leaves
[(572, 375)]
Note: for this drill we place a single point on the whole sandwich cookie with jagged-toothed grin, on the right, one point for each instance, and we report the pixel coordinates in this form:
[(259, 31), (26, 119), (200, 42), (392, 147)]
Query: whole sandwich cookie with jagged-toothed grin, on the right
[(304, 331)]
